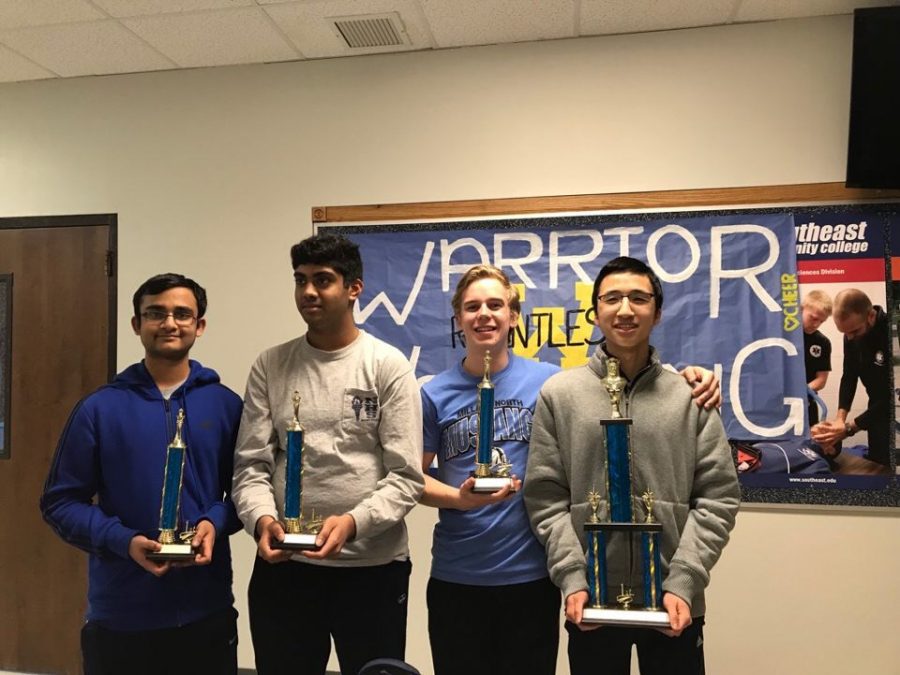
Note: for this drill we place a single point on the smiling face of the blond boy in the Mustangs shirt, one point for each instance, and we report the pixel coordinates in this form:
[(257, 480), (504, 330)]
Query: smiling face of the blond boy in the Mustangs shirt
[(485, 316)]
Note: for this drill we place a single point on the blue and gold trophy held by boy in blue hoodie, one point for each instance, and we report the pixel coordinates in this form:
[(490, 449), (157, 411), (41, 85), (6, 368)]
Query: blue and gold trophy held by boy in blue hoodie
[(176, 546)]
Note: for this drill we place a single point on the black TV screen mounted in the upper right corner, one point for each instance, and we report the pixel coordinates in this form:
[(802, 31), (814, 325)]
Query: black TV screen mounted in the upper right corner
[(873, 153)]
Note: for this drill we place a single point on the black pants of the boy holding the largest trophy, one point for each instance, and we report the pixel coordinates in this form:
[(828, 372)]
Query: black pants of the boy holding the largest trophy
[(608, 649)]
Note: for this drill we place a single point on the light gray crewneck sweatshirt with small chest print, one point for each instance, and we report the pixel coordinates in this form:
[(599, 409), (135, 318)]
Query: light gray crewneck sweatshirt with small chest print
[(362, 453)]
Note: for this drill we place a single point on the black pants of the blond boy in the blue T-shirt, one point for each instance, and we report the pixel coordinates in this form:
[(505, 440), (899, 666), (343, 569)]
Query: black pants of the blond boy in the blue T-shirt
[(493, 630)]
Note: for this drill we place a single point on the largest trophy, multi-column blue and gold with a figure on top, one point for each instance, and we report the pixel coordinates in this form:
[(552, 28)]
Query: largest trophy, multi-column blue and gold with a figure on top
[(621, 521)]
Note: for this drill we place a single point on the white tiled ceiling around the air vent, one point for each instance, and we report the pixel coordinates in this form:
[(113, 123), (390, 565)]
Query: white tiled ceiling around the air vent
[(42, 39)]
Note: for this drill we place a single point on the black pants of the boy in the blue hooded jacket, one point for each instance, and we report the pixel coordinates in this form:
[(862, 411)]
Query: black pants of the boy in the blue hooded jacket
[(206, 646)]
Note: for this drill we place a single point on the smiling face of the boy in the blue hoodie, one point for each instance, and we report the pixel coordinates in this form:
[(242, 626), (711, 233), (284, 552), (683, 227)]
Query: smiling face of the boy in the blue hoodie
[(168, 339)]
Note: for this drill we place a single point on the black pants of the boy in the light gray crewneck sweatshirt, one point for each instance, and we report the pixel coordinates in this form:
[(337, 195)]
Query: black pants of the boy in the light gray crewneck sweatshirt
[(297, 608)]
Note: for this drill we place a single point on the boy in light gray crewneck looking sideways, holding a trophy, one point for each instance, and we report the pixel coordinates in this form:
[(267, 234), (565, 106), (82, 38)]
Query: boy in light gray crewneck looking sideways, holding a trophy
[(362, 452)]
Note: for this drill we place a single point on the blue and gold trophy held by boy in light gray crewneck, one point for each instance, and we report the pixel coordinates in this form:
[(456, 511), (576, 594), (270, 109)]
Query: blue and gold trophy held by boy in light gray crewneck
[(299, 534)]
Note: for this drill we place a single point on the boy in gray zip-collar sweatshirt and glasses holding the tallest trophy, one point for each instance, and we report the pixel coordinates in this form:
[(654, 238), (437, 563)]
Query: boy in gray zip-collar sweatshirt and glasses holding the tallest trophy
[(679, 451)]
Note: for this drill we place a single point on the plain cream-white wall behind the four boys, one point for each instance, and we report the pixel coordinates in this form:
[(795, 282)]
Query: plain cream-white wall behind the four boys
[(213, 173)]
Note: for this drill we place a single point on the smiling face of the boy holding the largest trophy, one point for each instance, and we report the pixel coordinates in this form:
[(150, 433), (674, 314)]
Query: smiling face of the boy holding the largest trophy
[(626, 325)]
